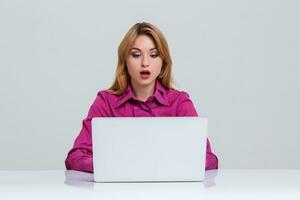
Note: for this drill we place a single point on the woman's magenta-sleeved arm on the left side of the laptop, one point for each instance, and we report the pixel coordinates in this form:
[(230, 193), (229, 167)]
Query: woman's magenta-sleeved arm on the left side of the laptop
[(80, 157)]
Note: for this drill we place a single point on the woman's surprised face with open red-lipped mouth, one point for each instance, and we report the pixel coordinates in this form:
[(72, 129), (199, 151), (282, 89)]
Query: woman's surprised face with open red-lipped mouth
[(143, 62)]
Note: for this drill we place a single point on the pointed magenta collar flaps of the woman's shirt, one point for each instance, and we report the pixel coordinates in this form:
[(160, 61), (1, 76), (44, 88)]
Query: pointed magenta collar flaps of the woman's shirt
[(159, 94)]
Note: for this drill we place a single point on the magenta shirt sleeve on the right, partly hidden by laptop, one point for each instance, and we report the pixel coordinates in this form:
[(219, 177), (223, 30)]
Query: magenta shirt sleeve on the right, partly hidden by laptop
[(186, 108)]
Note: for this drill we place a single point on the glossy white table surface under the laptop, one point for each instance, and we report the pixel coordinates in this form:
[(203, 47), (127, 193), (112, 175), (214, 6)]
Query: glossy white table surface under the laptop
[(218, 184)]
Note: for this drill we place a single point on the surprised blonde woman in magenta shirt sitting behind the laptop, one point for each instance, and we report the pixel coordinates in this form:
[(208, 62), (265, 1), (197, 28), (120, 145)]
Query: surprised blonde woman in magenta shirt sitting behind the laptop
[(142, 87)]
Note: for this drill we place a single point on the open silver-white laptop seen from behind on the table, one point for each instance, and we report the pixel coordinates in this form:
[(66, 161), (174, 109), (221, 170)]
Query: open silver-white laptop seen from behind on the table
[(147, 149)]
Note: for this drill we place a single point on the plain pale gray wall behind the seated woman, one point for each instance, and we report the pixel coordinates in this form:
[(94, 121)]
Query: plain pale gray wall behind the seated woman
[(239, 61)]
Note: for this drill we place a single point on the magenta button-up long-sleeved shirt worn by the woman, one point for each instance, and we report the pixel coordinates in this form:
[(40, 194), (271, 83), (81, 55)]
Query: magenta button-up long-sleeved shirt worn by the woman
[(163, 102)]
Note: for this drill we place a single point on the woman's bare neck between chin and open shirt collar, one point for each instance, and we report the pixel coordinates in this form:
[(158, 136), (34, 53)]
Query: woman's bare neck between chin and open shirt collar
[(143, 92)]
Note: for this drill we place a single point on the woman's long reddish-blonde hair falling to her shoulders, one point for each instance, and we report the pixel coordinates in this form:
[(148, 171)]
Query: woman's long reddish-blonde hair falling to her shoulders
[(122, 76)]
